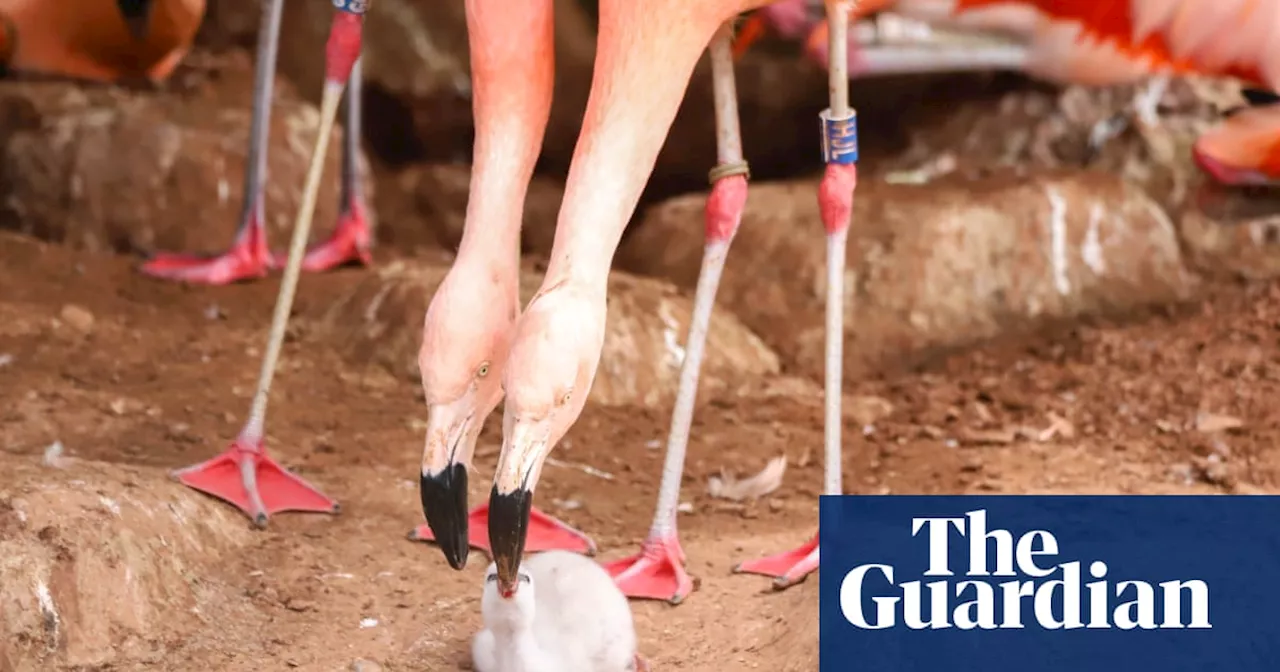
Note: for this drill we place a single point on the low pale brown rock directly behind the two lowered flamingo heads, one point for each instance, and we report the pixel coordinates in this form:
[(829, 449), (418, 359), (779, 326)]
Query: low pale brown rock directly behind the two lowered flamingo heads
[(381, 322)]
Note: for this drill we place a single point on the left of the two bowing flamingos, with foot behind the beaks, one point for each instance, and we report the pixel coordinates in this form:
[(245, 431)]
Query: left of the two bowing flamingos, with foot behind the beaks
[(469, 324)]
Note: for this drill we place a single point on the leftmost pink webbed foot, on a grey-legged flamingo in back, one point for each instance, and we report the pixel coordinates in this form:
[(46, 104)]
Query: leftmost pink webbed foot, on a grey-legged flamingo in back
[(249, 259)]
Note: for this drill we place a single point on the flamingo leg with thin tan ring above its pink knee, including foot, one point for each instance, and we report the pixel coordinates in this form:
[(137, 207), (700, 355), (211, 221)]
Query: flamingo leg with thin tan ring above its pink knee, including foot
[(659, 572)]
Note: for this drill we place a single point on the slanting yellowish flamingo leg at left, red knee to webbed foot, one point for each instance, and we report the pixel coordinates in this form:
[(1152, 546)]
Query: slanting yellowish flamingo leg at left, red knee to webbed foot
[(245, 476)]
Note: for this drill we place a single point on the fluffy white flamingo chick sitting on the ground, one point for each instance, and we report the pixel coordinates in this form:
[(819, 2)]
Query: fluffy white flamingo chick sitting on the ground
[(566, 616)]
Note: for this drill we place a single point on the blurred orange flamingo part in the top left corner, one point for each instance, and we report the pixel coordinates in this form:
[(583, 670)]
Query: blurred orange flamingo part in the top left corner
[(99, 40)]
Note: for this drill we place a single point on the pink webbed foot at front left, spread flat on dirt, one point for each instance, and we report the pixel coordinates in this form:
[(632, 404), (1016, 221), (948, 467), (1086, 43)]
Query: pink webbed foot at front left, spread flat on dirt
[(249, 479)]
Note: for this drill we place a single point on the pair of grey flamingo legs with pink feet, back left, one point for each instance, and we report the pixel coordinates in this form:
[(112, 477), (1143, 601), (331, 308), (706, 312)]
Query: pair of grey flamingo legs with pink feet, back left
[(249, 257)]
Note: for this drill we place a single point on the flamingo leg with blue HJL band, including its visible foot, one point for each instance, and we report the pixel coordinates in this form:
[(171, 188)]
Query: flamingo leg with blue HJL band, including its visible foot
[(836, 203)]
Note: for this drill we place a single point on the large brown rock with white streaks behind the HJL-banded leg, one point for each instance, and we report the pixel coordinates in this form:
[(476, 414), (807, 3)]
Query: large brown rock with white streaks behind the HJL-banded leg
[(930, 268)]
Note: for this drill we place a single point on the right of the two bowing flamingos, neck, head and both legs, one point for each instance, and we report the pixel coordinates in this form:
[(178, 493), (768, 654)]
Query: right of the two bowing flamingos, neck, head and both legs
[(642, 71)]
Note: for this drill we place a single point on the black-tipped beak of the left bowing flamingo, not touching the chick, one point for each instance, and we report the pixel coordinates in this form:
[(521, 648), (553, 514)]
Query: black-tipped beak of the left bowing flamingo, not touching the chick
[(444, 482)]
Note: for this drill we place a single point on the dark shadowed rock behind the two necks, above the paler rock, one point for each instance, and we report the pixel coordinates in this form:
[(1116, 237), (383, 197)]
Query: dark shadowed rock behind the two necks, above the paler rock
[(441, 195)]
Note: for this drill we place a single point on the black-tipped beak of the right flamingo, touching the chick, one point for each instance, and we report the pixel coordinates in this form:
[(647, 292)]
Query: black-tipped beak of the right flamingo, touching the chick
[(525, 447)]
